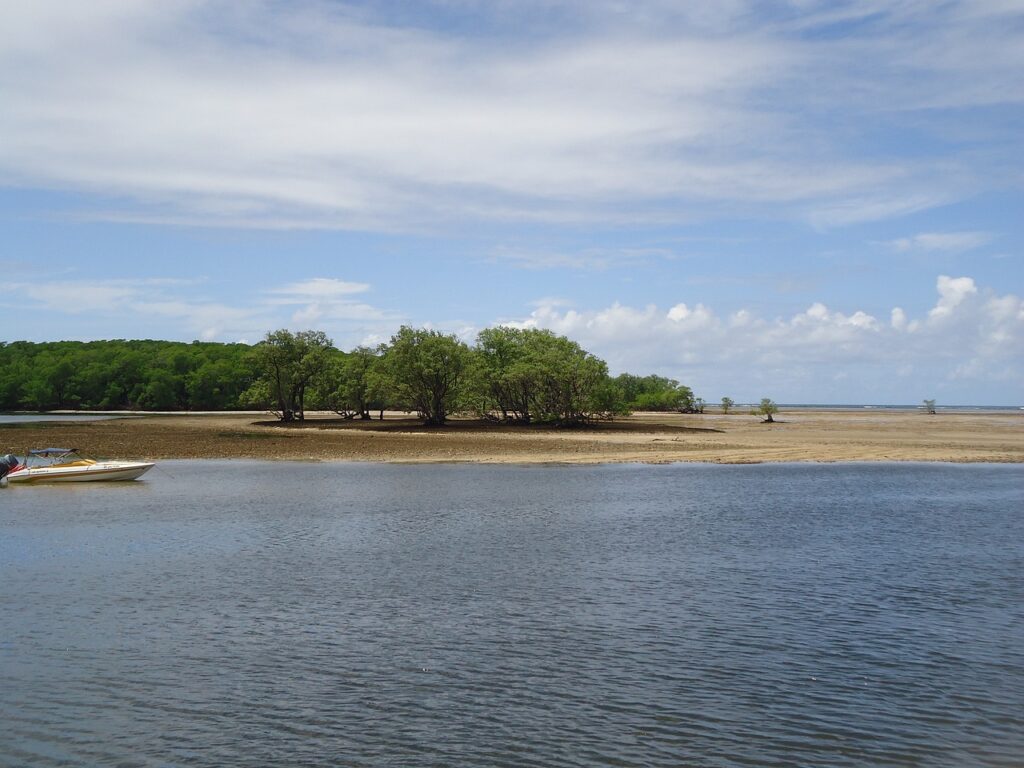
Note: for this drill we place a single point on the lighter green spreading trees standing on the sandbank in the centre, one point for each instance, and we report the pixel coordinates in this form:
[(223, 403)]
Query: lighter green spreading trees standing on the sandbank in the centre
[(511, 375)]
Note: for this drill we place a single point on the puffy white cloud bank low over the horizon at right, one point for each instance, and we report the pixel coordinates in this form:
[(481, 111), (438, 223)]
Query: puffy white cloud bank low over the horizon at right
[(971, 335)]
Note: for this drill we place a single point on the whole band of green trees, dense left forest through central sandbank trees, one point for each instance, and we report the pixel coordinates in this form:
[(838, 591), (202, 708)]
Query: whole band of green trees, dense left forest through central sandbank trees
[(508, 375)]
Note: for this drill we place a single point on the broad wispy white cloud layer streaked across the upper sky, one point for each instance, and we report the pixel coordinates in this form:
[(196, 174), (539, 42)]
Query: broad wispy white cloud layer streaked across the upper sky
[(356, 116)]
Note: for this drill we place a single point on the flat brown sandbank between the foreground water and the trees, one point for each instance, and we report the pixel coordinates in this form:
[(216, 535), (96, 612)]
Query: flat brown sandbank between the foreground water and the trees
[(738, 439)]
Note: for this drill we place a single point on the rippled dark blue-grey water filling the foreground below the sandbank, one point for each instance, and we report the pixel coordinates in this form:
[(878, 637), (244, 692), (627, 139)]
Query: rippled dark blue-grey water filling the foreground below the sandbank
[(251, 614)]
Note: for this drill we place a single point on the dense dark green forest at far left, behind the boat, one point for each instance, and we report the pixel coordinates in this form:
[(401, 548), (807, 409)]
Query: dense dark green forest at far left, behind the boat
[(114, 375)]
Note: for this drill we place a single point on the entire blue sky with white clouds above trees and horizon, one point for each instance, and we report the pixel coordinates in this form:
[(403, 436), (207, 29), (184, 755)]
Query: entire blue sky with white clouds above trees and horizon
[(815, 202)]
